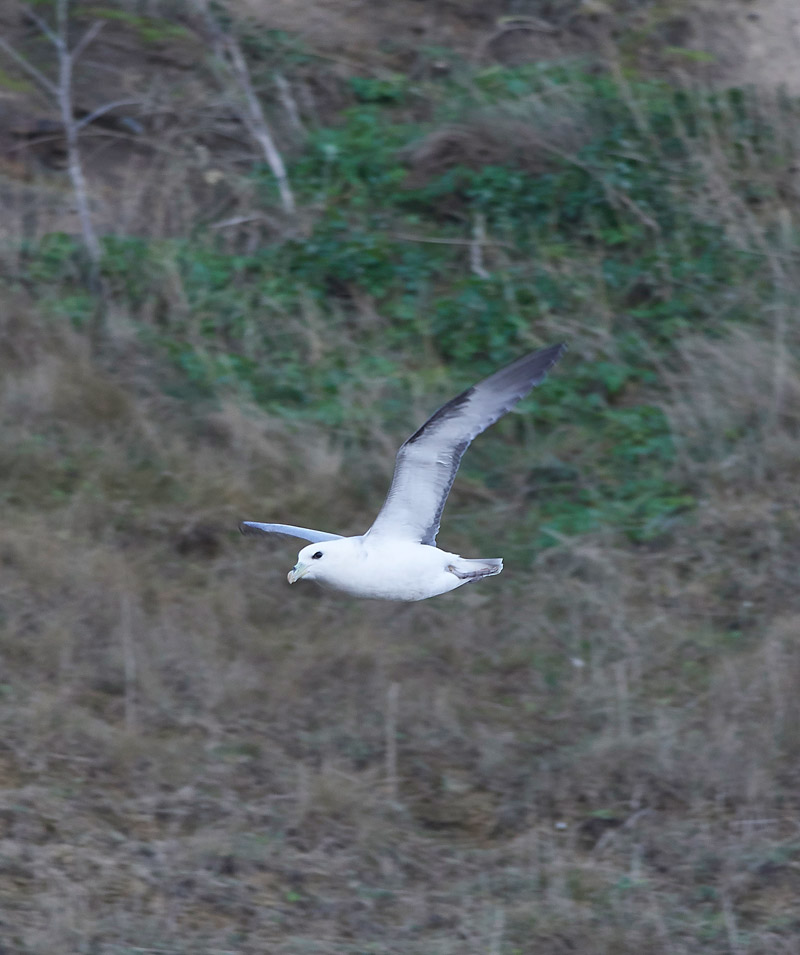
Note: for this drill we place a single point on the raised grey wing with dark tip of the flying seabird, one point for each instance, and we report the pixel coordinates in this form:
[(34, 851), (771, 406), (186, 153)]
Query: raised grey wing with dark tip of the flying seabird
[(427, 463)]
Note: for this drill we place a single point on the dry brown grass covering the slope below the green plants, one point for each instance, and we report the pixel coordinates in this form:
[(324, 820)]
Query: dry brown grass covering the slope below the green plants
[(598, 755)]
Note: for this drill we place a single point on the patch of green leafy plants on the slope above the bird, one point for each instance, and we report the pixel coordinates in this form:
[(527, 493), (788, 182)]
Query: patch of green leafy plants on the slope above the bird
[(607, 235)]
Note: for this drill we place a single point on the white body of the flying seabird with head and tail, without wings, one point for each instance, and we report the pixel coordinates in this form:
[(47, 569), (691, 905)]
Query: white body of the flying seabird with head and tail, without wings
[(386, 569)]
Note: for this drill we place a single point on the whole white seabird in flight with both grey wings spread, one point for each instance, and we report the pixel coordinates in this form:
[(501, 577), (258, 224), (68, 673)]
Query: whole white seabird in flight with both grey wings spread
[(397, 558)]
